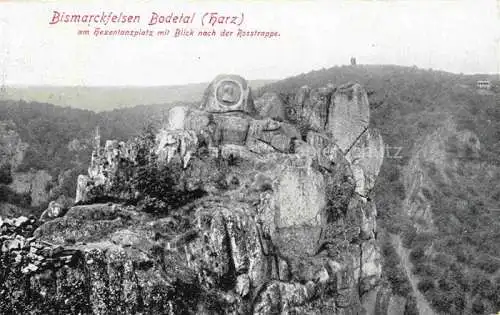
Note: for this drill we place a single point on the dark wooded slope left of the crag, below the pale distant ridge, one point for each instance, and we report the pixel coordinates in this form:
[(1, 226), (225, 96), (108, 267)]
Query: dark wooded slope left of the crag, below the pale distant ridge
[(48, 129)]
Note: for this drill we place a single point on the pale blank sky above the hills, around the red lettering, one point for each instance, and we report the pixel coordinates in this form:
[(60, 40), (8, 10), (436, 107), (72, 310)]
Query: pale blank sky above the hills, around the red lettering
[(455, 36)]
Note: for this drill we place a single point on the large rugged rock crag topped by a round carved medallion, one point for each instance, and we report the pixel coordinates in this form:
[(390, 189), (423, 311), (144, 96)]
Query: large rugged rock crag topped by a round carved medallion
[(273, 214)]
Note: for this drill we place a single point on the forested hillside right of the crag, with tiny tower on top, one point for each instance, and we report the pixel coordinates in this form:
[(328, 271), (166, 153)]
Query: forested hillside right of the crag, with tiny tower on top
[(439, 184)]
